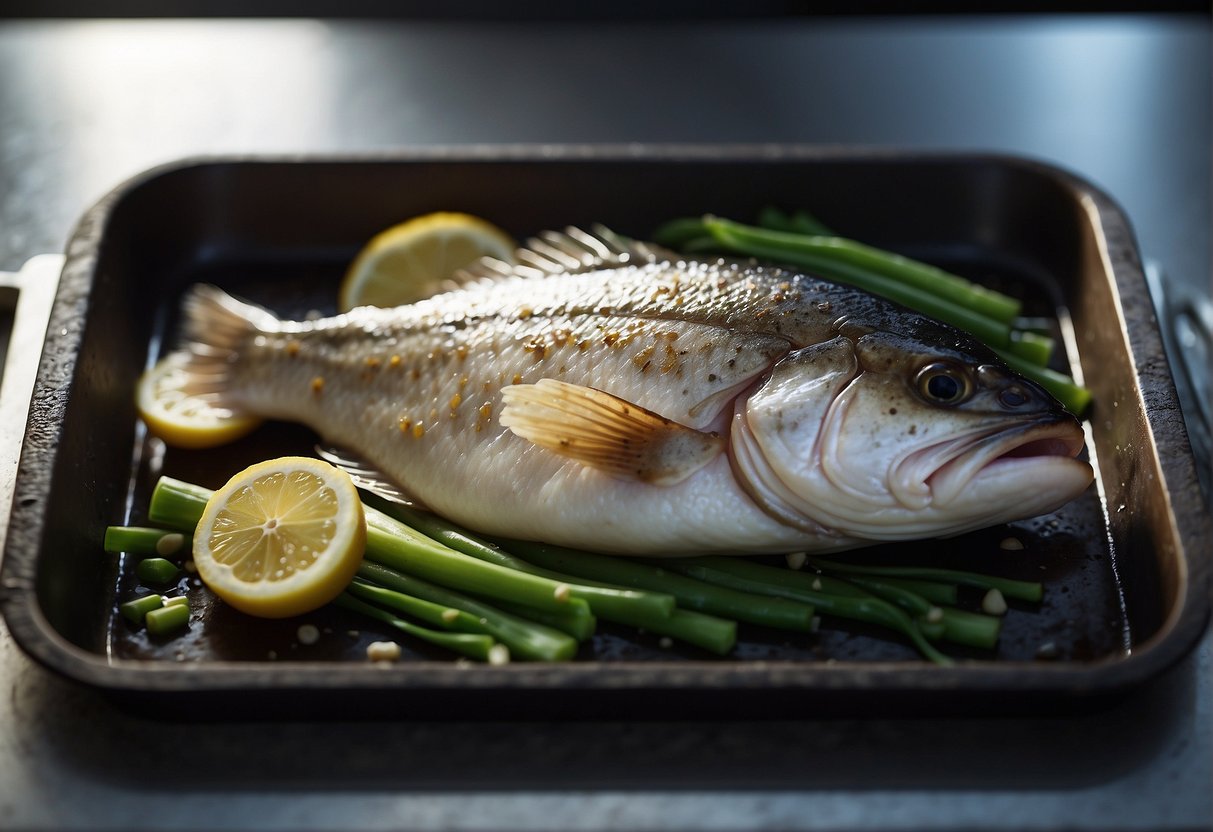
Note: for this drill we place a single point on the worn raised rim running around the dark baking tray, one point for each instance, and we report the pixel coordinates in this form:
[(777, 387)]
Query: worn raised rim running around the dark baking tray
[(1176, 637)]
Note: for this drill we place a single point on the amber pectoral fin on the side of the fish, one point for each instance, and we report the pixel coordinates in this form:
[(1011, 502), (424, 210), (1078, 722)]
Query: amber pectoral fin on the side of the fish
[(608, 434)]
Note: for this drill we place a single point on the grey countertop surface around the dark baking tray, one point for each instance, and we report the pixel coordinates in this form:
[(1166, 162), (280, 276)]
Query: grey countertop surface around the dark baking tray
[(1123, 101)]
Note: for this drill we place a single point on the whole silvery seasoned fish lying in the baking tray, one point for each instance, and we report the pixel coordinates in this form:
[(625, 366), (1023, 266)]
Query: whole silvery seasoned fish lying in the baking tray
[(618, 398)]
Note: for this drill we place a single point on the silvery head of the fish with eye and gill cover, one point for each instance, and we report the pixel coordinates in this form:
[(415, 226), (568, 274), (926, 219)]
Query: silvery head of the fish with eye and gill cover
[(876, 436)]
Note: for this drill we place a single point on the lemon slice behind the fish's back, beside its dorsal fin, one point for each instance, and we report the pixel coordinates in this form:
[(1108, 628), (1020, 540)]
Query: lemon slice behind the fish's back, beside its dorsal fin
[(411, 261)]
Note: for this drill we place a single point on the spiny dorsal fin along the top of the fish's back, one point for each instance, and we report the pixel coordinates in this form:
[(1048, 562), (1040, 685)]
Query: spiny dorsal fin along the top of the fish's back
[(571, 252)]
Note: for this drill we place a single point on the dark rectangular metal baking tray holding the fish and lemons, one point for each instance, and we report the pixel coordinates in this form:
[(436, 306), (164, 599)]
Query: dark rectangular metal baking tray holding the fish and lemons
[(1125, 568)]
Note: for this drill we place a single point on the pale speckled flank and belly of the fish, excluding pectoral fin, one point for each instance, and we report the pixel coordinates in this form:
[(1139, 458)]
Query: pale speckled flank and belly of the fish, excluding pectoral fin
[(420, 403)]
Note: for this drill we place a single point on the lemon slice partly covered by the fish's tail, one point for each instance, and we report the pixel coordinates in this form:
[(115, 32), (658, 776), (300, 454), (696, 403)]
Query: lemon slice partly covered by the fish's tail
[(176, 411)]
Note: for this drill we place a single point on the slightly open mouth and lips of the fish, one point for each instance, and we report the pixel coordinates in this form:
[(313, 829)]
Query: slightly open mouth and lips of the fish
[(1039, 459)]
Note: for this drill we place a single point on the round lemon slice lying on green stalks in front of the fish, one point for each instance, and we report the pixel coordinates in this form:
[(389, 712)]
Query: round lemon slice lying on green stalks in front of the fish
[(283, 538)]
